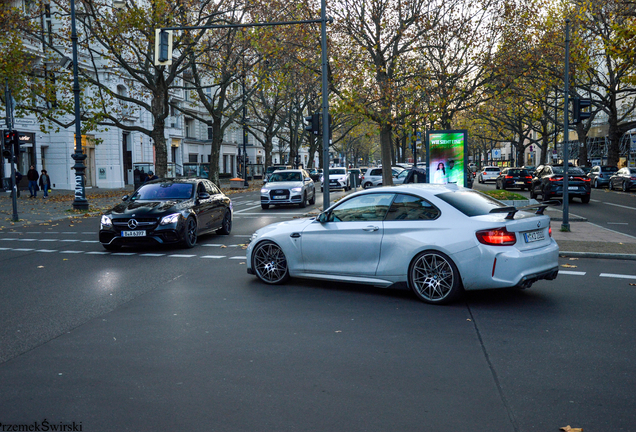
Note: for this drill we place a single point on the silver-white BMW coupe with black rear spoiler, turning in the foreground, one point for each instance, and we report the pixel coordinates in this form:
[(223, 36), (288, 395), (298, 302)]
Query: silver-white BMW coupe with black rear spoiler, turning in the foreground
[(439, 239)]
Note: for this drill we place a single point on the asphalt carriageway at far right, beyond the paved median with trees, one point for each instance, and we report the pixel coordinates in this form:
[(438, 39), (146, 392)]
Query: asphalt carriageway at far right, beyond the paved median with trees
[(610, 209)]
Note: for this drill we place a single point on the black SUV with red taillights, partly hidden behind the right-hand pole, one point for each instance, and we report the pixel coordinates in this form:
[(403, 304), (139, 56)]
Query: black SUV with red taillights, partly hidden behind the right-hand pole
[(548, 183)]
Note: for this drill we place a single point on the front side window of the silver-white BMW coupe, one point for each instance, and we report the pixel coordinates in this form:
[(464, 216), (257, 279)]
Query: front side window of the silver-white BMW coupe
[(369, 207)]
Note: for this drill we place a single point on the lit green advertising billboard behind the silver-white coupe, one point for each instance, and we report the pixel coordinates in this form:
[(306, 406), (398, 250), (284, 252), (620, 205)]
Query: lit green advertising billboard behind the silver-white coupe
[(446, 156)]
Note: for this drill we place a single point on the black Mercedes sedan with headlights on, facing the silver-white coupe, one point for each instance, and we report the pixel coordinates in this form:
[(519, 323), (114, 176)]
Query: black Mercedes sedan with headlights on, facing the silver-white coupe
[(167, 211)]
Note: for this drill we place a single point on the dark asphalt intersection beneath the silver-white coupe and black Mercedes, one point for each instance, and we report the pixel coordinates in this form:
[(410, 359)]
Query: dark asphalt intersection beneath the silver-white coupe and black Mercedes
[(173, 339)]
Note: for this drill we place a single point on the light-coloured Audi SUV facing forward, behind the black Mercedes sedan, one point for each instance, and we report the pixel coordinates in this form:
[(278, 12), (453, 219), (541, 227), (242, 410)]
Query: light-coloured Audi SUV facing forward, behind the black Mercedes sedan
[(288, 187)]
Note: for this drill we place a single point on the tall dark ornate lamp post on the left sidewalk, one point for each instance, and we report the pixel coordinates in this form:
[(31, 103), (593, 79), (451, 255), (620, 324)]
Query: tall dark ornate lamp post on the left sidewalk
[(80, 202)]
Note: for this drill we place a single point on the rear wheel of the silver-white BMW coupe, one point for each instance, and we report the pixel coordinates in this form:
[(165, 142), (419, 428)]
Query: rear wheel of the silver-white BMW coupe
[(434, 278)]
